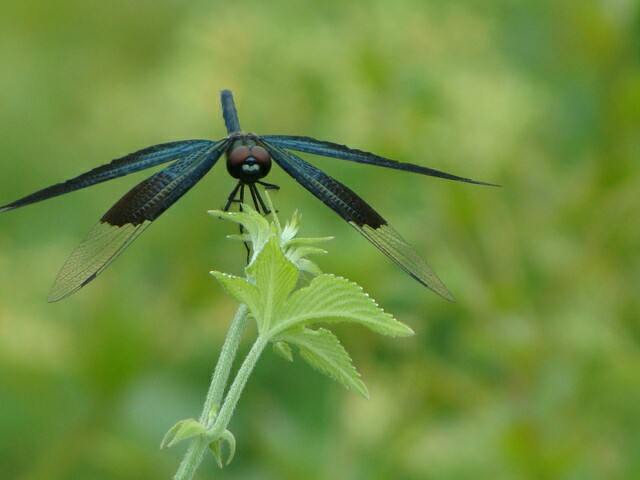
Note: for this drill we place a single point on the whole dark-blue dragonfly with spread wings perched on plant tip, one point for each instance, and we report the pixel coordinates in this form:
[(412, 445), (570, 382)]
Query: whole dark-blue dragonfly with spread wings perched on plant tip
[(249, 158)]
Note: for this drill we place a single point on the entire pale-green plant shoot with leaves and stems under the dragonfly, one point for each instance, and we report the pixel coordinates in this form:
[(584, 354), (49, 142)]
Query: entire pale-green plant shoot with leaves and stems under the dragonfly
[(287, 312)]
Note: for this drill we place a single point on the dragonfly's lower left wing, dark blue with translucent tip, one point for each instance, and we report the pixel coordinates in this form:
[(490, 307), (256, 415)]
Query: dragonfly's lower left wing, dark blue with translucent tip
[(129, 217)]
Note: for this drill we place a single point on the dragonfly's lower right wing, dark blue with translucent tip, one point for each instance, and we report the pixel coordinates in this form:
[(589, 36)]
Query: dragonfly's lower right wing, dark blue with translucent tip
[(360, 216)]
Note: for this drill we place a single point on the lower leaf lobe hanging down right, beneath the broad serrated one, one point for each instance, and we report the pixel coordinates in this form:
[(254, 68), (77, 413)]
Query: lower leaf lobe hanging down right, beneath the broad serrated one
[(323, 351)]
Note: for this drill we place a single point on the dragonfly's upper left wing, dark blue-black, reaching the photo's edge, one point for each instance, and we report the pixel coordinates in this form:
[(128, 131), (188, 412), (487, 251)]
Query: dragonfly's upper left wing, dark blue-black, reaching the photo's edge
[(134, 162)]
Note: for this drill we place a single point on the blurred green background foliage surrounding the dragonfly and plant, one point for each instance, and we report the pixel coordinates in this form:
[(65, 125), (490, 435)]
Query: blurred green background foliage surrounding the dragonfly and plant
[(533, 374)]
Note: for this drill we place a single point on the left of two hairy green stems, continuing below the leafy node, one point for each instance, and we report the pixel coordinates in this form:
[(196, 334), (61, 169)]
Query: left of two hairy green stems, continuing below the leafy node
[(196, 450)]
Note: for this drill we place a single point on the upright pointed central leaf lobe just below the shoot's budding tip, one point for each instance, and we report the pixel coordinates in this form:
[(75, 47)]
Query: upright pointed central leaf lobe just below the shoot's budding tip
[(275, 277)]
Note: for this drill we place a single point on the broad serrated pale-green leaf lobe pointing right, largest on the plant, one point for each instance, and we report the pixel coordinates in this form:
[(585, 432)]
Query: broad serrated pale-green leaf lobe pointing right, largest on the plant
[(332, 299)]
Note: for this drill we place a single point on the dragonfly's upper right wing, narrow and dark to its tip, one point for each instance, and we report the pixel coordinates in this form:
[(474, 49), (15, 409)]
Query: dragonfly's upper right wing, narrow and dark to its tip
[(342, 152)]
